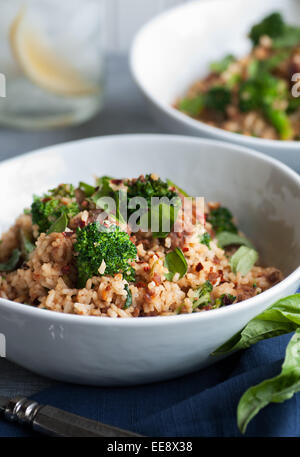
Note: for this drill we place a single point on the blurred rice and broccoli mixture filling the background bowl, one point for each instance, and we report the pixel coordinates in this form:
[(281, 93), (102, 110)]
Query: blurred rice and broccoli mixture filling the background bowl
[(252, 95)]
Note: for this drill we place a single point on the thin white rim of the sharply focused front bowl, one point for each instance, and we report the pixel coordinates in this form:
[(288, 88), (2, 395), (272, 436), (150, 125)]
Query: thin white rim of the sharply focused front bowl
[(157, 320)]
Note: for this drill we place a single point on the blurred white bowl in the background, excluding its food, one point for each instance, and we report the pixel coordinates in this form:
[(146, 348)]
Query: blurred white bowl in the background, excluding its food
[(176, 48)]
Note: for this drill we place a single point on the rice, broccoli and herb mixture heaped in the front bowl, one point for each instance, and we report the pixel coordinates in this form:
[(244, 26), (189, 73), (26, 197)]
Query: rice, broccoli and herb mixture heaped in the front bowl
[(71, 253)]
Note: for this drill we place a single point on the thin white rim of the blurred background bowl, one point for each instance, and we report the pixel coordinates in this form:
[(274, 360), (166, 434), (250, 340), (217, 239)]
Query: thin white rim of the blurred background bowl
[(184, 118)]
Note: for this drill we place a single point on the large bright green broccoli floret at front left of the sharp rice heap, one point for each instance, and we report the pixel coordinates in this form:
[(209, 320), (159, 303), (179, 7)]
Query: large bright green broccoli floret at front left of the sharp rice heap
[(96, 244)]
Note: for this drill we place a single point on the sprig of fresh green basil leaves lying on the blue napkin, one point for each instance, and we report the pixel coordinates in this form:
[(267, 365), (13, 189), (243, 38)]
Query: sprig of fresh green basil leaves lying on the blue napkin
[(281, 318)]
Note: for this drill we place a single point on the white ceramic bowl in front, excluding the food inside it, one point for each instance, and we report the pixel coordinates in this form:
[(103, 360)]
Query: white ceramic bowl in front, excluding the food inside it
[(264, 195)]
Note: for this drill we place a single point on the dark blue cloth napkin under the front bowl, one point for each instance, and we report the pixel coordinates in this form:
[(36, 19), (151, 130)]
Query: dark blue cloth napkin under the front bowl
[(200, 404)]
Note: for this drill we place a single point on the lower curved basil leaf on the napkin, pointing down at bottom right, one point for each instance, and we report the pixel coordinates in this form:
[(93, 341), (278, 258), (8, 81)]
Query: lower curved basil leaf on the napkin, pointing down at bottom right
[(274, 390)]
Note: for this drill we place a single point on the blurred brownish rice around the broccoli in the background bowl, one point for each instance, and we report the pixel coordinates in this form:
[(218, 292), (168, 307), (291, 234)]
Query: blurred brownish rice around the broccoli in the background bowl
[(254, 122)]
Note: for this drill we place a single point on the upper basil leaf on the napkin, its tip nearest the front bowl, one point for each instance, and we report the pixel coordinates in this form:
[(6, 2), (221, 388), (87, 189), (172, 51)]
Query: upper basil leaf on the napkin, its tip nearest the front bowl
[(281, 318)]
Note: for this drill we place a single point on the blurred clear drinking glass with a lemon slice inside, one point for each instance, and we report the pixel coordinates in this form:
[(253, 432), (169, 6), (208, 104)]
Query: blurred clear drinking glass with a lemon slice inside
[(51, 62)]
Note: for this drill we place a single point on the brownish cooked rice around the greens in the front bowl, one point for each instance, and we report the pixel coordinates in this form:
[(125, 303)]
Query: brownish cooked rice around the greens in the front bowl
[(48, 277)]
